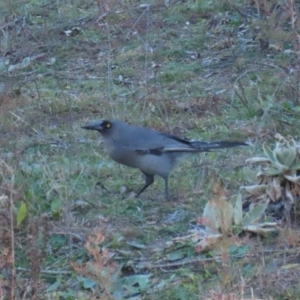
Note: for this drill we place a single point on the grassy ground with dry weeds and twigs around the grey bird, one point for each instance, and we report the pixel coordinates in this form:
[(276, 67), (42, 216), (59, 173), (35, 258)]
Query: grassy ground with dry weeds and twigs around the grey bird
[(207, 70)]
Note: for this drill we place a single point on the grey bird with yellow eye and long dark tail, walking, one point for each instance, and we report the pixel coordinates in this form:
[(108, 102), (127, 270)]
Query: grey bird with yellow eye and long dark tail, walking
[(150, 151)]
